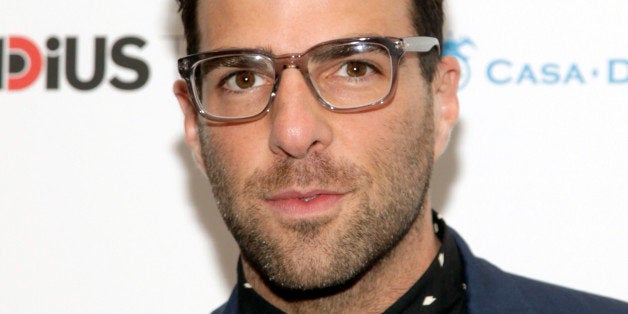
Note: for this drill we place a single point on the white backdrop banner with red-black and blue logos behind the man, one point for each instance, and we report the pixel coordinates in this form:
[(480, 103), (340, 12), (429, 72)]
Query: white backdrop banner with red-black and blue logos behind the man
[(102, 209)]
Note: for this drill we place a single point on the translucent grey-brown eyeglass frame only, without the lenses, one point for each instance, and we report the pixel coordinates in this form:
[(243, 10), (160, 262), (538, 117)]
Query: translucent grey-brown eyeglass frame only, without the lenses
[(396, 47)]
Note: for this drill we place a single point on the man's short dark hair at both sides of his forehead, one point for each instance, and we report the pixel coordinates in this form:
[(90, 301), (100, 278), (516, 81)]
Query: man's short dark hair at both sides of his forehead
[(428, 18)]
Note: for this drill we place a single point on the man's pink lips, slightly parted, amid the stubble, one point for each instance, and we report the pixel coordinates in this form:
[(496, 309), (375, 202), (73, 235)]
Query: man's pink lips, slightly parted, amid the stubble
[(299, 205)]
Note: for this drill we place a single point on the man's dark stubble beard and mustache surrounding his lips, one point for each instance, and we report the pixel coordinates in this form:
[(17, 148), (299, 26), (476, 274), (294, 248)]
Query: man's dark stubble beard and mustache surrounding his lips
[(321, 254)]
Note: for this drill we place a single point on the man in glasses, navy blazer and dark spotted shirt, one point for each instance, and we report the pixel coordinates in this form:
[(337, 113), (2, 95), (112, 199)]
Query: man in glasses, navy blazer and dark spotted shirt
[(317, 124)]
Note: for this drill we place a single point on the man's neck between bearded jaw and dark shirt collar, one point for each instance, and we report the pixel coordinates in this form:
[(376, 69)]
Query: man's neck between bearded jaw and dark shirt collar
[(380, 287)]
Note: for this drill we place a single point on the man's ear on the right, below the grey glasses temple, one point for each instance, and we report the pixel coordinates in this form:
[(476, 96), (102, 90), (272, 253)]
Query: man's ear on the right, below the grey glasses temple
[(445, 96)]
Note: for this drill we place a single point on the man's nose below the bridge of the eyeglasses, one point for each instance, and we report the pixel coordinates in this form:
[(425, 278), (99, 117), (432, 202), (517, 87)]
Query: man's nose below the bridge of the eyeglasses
[(299, 125)]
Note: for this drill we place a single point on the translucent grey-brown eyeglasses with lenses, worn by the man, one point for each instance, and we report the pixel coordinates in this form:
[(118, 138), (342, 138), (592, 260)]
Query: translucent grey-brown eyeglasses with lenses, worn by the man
[(345, 75)]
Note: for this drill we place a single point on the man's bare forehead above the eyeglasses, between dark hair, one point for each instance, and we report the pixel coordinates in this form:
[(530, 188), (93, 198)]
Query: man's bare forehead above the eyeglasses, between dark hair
[(286, 26)]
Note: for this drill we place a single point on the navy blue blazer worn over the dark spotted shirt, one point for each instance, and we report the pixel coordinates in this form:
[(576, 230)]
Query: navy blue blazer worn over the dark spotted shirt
[(491, 290)]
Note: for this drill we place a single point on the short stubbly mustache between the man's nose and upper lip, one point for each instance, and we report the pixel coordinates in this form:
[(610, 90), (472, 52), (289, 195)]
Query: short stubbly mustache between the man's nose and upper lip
[(316, 170)]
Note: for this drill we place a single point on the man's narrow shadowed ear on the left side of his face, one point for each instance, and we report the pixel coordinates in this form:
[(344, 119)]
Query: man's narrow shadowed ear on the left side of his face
[(190, 123)]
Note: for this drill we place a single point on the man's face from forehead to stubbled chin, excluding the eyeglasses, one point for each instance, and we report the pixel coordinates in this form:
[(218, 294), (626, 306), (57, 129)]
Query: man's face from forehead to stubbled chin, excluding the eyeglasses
[(314, 197)]
